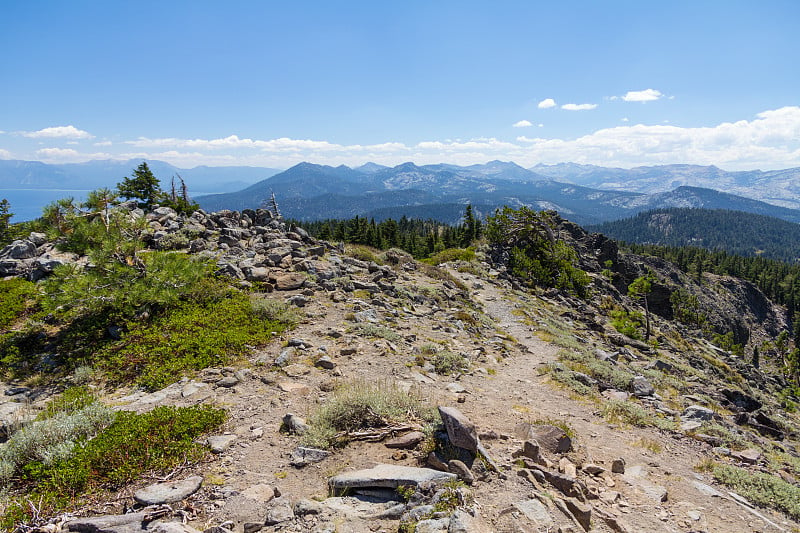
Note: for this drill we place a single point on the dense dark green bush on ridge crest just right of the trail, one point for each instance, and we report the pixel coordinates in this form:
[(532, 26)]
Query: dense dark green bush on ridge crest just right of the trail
[(536, 256)]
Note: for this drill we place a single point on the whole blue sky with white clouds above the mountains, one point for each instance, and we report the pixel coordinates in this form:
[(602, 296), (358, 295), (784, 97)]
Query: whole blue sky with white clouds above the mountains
[(266, 83)]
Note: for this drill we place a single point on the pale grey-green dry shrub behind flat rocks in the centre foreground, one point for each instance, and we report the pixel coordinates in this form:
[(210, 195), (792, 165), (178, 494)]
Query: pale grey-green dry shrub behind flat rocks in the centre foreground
[(363, 405)]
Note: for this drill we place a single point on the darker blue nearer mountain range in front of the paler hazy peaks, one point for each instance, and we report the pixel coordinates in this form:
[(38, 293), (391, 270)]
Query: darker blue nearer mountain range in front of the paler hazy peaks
[(308, 192)]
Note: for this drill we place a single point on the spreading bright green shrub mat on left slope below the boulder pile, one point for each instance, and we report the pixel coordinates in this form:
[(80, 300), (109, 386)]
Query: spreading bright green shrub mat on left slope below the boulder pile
[(192, 336)]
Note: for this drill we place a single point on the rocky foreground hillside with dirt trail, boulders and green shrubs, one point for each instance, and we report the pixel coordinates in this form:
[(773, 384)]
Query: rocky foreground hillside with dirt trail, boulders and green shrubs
[(557, 407)]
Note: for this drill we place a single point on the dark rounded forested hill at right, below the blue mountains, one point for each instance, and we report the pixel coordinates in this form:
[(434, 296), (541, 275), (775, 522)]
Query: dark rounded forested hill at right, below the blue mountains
[(735, 232)]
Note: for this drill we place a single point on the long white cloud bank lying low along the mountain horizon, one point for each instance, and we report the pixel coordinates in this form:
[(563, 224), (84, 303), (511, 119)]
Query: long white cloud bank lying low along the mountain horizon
[(770, 140)]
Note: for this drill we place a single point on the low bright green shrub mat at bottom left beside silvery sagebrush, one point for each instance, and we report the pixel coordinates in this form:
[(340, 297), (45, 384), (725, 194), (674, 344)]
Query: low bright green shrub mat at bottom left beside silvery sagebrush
[(133, 444)]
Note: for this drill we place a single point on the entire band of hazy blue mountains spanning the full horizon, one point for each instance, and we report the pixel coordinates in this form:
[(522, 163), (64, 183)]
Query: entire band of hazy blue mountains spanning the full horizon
[(583, 193)]
